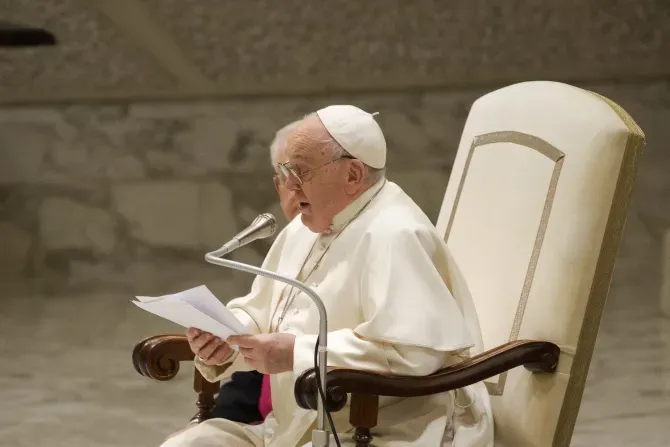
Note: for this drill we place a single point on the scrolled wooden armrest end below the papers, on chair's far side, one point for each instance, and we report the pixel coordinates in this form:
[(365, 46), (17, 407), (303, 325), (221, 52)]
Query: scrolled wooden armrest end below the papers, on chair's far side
[(158, 357)]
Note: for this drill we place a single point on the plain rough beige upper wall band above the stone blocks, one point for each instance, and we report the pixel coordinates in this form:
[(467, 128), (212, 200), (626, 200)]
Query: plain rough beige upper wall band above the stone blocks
[(135, 49)]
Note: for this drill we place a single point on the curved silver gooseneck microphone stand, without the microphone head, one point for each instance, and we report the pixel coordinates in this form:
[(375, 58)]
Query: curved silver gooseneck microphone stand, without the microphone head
[(320, 437)]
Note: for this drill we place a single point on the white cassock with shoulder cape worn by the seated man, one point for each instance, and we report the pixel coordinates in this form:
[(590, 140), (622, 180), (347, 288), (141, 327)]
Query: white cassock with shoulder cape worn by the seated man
[(378, 271)]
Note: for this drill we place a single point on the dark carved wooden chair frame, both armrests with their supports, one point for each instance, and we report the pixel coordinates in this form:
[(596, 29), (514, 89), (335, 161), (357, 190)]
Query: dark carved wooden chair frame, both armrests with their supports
[(158, 358)]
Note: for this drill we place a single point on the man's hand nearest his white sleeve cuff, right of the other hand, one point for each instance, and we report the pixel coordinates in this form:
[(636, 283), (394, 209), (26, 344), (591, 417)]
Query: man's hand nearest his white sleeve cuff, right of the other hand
[(266, 353)]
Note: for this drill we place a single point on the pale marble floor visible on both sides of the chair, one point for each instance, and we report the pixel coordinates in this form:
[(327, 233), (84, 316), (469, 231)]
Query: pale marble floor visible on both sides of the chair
[(66, 379)]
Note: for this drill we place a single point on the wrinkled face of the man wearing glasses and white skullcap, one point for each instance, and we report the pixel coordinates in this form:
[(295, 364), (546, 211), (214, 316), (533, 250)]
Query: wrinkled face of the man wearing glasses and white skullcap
[(323, 184)]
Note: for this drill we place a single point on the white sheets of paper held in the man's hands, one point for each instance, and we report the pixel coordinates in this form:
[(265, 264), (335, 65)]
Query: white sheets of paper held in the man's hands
[(196, 307)]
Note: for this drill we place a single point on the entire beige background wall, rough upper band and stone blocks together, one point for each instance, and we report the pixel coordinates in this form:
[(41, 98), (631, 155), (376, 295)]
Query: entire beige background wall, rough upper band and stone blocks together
[(127, 194)]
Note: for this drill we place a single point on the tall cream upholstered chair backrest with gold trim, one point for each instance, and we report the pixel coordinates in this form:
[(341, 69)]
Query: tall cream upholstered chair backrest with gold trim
[(532, 217)]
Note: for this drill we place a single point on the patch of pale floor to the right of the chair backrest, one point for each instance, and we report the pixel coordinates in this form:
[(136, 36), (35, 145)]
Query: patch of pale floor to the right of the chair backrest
[(626, 401)]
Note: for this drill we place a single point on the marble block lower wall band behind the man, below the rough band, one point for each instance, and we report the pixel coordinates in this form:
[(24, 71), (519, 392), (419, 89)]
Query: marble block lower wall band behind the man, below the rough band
[(129, 197)]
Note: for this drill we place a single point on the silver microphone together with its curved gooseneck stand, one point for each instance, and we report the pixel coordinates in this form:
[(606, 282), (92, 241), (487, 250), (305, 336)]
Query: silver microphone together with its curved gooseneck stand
[(264, 226)]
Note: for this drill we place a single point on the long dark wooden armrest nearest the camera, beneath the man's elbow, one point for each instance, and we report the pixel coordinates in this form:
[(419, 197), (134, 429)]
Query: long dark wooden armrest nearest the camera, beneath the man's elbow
[(536, 356)]
